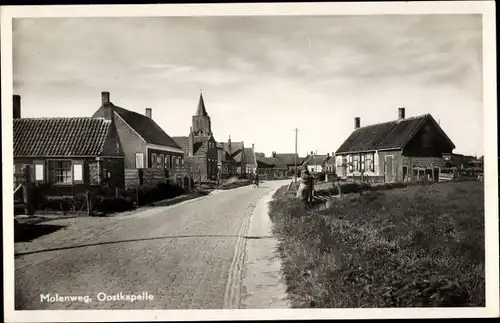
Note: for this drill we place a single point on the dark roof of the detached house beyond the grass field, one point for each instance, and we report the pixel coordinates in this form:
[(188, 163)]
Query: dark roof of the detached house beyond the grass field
[(393, 134)]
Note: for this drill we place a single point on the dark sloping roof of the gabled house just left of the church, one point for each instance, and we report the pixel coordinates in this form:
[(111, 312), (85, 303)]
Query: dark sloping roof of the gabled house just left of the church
[(146, 127)]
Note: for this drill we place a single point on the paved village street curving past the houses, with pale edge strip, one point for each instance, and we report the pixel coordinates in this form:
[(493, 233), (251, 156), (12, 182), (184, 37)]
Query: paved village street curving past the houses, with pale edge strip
[(213, 252)]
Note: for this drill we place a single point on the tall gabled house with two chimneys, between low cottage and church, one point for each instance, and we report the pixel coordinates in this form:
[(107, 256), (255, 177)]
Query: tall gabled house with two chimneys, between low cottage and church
[(145, 144)]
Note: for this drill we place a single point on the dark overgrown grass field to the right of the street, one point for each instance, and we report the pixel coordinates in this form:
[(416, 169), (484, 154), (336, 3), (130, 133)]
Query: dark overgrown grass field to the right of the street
[(411, 247)]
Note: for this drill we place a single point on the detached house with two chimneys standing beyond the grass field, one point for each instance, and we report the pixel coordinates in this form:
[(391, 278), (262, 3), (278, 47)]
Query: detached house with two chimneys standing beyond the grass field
[(396, 150)]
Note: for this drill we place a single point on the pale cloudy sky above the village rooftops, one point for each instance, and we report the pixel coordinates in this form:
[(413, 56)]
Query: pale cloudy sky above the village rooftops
[(261, 77)]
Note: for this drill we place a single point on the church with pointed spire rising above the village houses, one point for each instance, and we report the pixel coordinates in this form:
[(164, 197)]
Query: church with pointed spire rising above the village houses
[(200, 147)]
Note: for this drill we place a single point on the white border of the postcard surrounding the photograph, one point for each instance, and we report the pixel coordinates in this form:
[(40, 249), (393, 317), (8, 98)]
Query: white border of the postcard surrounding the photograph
[(486, 8)]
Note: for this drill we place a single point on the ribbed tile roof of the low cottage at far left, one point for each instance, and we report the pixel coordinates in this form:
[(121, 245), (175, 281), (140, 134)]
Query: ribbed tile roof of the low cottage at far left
[(60, 136)]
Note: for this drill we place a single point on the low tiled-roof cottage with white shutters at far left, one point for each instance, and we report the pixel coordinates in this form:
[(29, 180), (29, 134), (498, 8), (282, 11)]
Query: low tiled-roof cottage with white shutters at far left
[(68, 155)]
